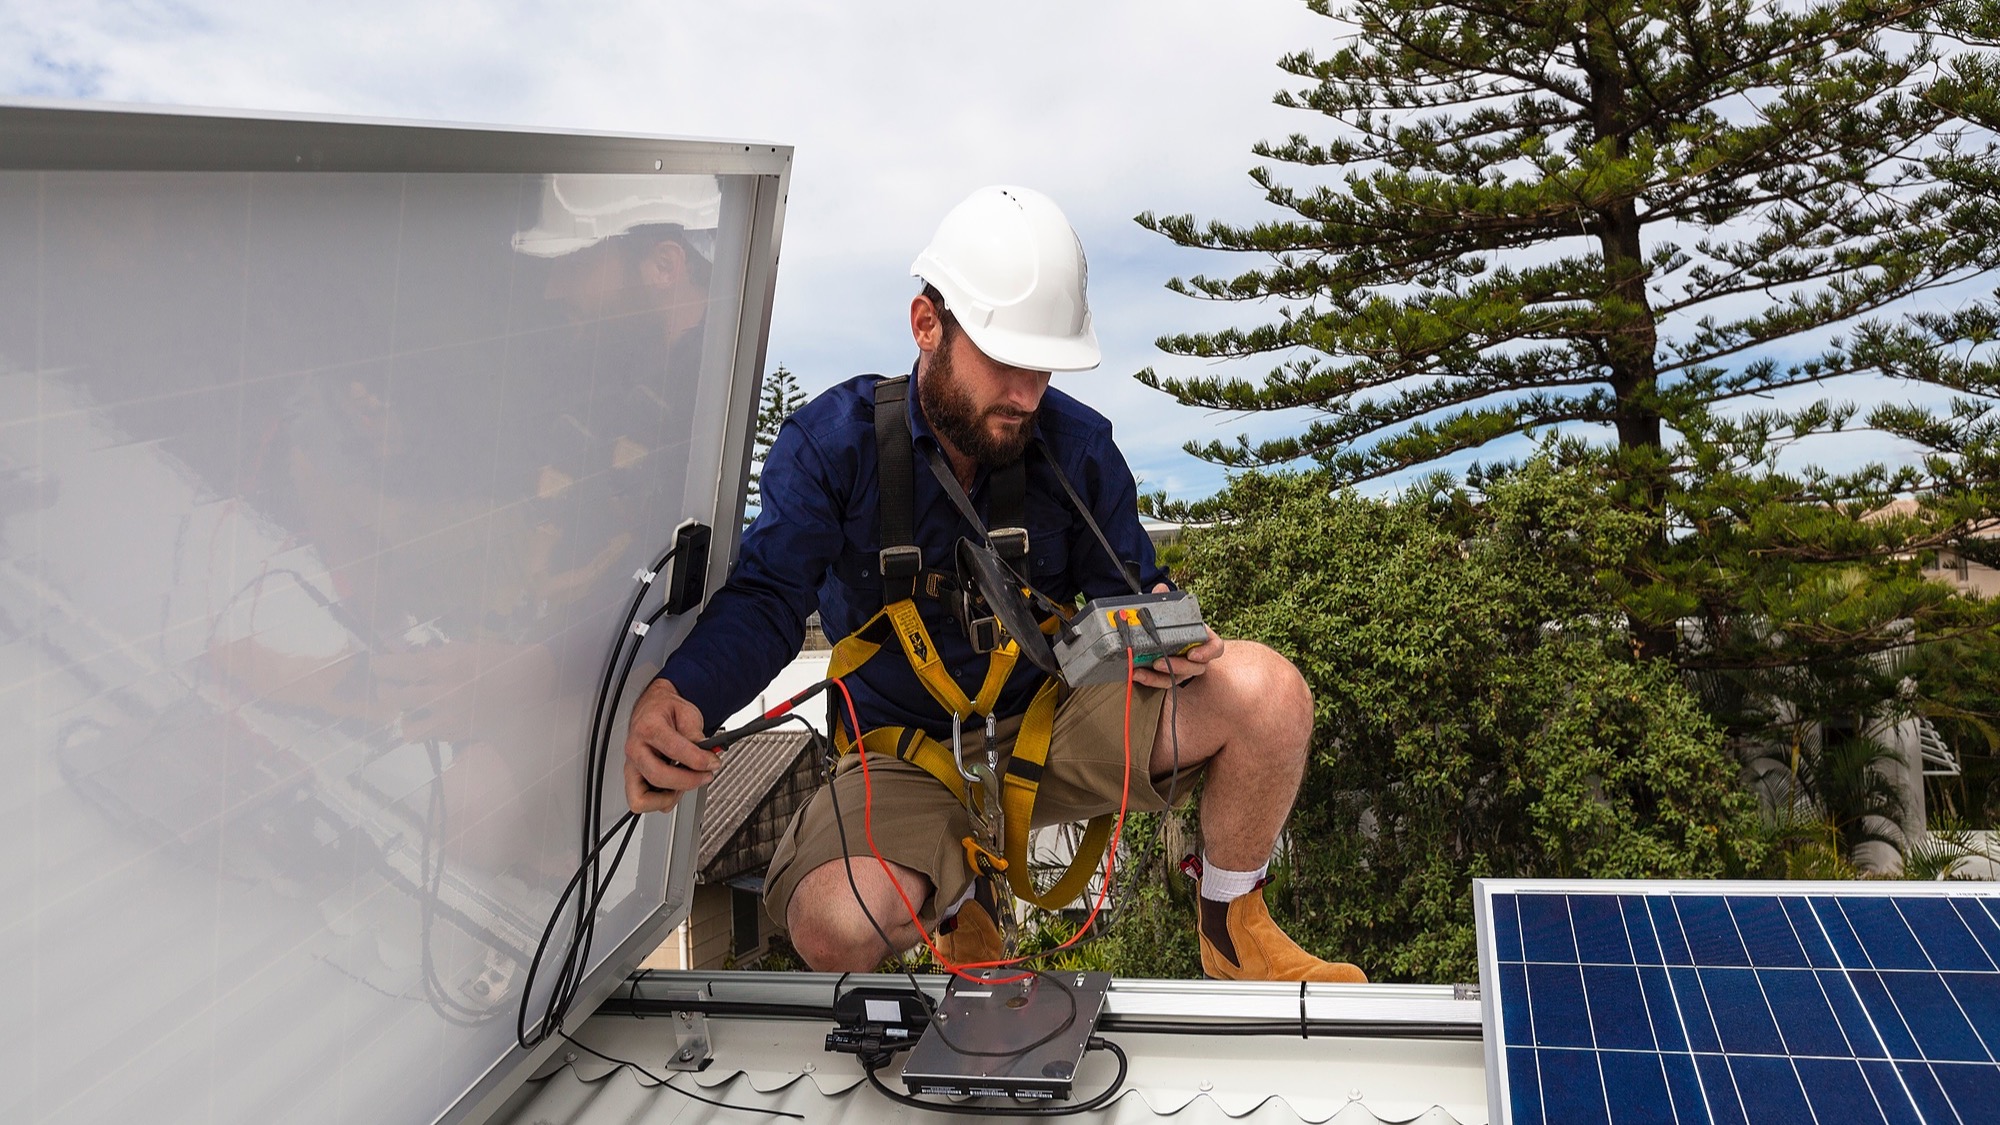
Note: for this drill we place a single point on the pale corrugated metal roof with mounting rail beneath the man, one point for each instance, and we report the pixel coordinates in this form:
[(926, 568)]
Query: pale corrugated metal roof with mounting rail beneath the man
[(773, 1064)]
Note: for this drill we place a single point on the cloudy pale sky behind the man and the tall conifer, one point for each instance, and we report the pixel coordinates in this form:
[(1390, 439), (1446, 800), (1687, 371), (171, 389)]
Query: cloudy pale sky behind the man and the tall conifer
[(895, 111)]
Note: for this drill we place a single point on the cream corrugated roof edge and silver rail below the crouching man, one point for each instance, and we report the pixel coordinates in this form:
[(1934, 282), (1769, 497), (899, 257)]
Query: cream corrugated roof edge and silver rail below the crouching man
[(1351, 1078)]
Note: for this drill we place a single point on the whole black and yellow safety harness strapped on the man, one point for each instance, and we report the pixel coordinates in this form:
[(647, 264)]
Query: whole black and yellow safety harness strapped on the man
[(997, 626)]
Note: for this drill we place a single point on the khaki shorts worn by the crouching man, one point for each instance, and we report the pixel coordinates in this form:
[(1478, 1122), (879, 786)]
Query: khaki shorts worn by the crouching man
[(921, 826)]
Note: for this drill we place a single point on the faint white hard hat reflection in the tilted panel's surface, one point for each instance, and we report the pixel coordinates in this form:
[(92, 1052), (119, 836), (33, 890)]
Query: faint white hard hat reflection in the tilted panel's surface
[(585, 209)]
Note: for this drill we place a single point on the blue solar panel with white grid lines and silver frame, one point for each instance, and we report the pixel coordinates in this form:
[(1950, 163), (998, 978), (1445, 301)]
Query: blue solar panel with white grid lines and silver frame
[(1741, 1004)]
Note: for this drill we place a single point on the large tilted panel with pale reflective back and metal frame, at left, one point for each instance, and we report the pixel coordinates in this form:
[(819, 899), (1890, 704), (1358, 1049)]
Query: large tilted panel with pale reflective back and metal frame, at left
[(327, 459)]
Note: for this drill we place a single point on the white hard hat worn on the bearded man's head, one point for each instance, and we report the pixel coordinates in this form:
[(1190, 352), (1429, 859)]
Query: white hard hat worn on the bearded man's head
[(1013, 273)]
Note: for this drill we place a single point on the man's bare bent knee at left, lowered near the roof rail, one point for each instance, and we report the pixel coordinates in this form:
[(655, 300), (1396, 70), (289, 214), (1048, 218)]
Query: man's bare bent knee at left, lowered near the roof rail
[(829, 926)]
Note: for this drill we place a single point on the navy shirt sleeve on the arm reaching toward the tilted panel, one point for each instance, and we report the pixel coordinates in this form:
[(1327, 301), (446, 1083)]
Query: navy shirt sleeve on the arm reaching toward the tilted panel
[(757, 622)]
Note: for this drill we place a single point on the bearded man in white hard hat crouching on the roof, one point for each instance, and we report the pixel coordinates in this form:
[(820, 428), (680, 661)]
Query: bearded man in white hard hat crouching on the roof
[(1003, 307)]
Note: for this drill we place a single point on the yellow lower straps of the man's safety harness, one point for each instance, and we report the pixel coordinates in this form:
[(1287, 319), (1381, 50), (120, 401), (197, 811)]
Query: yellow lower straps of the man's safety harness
[(1025, 768)]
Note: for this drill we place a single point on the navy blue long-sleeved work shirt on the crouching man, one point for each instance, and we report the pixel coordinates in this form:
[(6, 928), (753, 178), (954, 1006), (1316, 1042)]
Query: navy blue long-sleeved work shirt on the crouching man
[(817, 537)]
